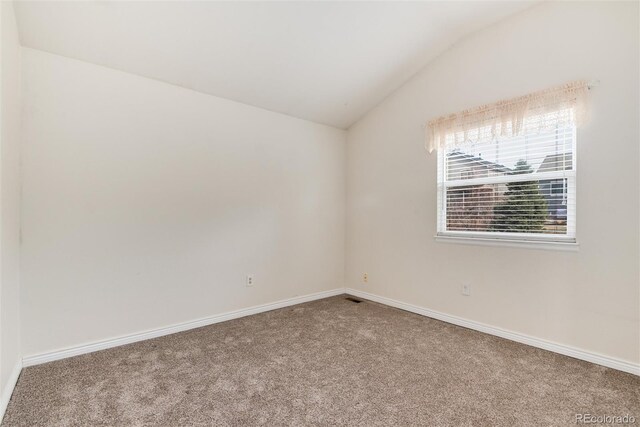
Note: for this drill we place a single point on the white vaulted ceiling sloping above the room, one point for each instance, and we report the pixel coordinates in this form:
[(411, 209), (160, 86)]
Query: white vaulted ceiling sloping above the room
[(328, 62)]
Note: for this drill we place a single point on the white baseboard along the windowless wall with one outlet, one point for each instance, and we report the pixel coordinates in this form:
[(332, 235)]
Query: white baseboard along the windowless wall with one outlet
[(141, 336)]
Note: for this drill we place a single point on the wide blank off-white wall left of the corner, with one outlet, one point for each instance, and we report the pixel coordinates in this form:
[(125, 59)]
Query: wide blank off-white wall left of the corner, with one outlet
[(146, 204)]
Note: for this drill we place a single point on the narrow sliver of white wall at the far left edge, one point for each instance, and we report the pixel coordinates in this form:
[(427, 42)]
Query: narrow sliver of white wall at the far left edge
[(10, 352)]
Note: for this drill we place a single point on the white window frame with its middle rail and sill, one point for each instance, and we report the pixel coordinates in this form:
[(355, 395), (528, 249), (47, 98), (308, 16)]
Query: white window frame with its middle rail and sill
[(495, 238)]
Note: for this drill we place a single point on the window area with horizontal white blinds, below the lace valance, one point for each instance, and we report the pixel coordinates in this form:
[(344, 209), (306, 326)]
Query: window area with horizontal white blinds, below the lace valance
[(520, 187)]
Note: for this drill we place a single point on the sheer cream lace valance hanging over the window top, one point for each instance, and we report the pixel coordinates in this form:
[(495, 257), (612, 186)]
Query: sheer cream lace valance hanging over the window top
[(535, 112)]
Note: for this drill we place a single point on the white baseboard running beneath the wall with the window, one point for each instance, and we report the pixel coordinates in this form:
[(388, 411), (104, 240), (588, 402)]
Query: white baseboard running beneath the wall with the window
[(566, 350)]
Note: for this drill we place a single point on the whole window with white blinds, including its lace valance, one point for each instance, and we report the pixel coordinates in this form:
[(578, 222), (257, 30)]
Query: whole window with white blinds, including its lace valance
[(508, 170)]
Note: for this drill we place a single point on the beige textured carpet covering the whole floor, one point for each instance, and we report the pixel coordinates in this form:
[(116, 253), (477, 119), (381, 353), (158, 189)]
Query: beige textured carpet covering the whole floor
[(327, 362)]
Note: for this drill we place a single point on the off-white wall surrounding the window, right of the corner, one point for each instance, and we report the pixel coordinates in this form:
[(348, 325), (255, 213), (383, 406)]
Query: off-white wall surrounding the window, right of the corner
[(589, 299)]
